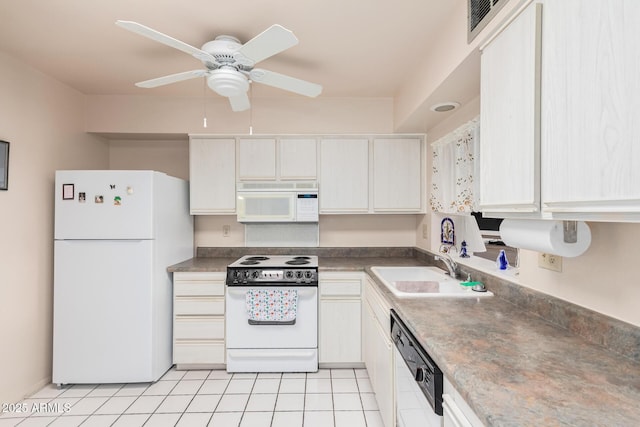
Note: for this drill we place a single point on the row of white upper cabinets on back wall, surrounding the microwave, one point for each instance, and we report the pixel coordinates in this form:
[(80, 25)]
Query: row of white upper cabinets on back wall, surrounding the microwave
[(355, 173)]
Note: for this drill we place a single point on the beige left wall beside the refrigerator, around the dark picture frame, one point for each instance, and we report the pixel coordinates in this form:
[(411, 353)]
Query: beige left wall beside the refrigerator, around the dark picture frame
[(44, 121)]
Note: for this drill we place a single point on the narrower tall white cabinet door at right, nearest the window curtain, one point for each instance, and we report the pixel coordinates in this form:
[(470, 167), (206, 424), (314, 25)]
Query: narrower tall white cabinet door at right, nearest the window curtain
[(510, 118)]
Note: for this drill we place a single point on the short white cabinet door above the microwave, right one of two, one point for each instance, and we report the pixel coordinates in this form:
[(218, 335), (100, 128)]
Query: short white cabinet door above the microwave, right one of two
[(298, 158)]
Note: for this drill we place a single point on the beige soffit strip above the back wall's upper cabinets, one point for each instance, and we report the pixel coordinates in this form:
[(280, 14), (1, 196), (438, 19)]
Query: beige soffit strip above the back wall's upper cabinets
[(160, 115)]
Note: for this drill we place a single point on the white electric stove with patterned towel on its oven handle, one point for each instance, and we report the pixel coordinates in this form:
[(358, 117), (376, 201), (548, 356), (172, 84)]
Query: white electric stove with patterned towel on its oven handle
[(279, 338)]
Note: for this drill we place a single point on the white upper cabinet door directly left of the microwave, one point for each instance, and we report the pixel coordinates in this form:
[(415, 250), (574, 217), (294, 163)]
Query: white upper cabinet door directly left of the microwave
[(212, 176)]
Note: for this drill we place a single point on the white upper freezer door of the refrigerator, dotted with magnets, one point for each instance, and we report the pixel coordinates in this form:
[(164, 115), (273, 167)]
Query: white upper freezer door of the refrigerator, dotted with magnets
[(104, 205)]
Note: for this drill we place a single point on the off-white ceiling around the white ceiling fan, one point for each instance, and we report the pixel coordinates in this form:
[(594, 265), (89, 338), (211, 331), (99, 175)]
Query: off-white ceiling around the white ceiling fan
[(354, 48)]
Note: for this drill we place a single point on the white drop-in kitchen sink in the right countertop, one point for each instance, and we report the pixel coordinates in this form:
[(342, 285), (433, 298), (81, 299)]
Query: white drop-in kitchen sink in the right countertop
[(423, 282)]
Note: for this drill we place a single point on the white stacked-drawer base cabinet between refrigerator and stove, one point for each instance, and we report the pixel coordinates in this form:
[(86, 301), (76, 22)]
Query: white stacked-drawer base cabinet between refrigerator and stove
[(198, 319)]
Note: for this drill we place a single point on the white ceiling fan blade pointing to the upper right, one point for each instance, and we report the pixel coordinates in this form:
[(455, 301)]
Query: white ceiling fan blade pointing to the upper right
[(273, 40)]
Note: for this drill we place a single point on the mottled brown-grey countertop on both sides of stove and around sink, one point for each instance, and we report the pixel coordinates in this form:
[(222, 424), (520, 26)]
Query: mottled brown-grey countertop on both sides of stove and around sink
[(511, 366)]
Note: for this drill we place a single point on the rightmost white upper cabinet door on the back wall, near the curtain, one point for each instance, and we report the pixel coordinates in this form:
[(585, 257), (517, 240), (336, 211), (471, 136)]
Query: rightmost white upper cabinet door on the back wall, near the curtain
[(397, 175)]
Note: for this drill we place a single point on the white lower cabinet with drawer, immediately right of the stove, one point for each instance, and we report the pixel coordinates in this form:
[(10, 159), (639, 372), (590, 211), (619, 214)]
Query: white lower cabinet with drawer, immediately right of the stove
[(340, 319)]
